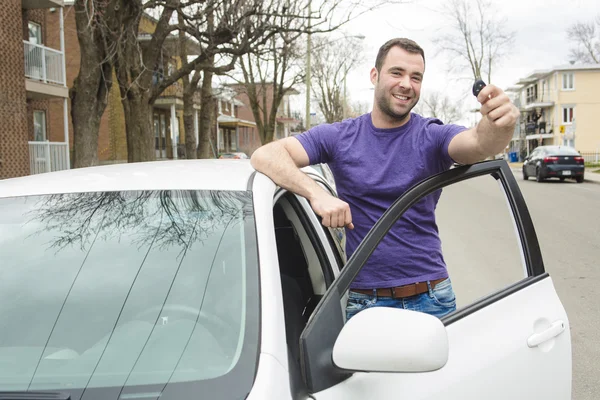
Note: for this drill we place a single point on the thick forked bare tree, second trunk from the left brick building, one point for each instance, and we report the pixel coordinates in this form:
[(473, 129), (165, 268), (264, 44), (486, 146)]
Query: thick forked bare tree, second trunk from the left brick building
[(234, 34)]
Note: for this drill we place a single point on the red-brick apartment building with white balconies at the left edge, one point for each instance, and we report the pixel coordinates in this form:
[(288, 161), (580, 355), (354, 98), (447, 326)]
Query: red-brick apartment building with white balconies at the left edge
[(33, 91)]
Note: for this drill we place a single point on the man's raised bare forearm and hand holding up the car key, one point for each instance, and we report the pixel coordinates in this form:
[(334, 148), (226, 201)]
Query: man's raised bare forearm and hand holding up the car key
[(493, 132)]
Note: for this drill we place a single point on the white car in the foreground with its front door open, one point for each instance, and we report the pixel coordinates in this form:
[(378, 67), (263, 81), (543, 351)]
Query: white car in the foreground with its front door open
[(200, 279)]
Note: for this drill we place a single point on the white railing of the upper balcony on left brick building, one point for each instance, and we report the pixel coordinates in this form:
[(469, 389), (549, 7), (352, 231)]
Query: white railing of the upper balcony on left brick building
[(43, 63)]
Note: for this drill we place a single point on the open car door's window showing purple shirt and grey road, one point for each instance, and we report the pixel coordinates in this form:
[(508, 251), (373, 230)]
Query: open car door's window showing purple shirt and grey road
[(477, 245)]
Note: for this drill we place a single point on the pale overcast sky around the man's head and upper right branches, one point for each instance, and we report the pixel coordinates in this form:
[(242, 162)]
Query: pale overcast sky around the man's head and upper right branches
[(541, 42)]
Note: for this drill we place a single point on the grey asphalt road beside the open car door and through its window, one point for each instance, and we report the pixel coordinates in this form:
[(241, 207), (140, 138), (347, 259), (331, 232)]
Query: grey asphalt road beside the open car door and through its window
[(482, 254)]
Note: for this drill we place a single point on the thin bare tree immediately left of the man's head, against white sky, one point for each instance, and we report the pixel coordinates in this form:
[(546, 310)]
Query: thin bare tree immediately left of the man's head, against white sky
[(332, 60)]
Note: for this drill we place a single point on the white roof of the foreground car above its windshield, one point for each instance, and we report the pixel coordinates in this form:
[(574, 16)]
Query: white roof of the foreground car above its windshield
[(155, 175)]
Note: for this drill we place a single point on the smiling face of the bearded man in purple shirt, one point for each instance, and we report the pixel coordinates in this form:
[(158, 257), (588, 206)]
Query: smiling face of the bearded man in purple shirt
[(398, 84)]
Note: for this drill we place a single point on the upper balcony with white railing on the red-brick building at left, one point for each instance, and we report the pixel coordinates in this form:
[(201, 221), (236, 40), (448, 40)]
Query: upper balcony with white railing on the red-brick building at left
[(44, 70)]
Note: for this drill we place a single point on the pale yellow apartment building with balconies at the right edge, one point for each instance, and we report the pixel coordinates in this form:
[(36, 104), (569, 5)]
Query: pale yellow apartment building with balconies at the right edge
[(559, 106)]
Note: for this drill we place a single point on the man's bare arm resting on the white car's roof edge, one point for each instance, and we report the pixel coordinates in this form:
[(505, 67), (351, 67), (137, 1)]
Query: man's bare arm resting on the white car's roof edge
[(281, 161)]
